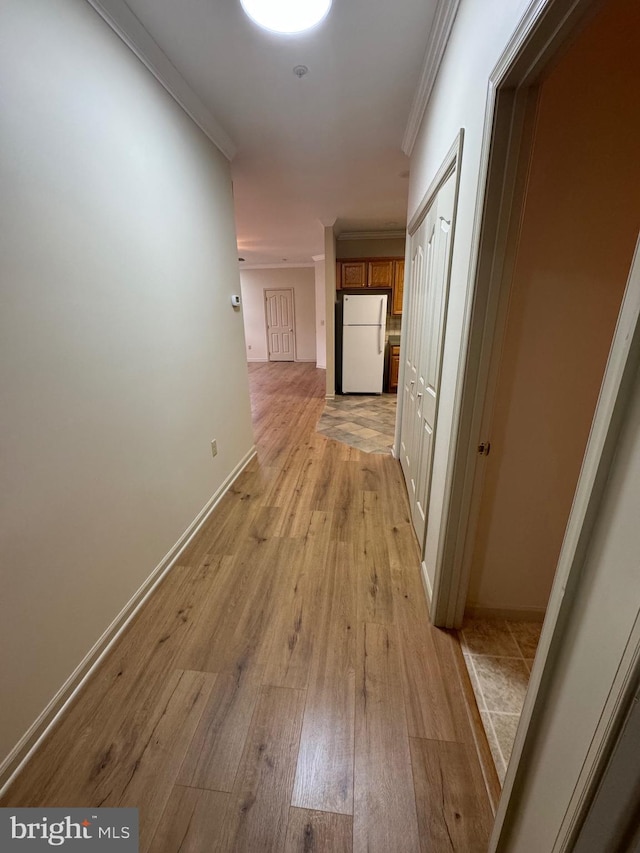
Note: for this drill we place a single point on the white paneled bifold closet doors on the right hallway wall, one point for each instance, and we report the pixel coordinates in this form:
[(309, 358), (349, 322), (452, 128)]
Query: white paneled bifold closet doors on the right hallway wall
[(429, 285)]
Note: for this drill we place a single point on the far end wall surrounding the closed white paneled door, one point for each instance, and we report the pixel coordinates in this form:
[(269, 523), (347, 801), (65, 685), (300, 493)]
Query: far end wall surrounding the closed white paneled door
[(302, 281)]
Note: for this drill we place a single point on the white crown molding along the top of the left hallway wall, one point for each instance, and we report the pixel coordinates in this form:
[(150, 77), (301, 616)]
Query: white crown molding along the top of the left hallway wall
[(126, 25)]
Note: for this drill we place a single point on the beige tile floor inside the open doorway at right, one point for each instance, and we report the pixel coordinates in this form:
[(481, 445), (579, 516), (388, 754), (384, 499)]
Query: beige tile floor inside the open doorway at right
[(499, 655)]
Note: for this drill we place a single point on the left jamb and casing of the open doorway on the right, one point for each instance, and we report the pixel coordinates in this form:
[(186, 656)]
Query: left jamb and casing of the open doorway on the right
[(506, 146)]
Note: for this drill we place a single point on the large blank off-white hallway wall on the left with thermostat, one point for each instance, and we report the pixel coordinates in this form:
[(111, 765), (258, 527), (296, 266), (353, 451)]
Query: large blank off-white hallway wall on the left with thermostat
[(120, 354)]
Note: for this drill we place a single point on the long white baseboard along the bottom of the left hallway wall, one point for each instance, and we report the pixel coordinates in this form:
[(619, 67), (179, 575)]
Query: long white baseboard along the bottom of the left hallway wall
[(19, 756)]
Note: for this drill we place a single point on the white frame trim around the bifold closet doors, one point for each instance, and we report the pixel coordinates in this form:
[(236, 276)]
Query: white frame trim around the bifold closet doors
[(450, 165)]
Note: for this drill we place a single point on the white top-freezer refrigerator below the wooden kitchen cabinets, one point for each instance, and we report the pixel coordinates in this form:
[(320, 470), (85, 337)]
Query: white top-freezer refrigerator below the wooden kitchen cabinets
[(364, 319)]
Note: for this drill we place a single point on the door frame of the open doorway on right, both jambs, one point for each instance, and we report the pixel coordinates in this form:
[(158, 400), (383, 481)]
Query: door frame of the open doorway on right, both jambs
[(539, 38)]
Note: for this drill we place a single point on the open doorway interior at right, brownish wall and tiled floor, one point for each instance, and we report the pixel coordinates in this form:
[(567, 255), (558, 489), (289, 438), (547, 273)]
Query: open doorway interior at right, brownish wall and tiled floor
[(560, 299)]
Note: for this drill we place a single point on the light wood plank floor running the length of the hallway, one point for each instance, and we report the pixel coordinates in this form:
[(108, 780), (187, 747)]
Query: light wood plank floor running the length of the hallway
[(283, 689)]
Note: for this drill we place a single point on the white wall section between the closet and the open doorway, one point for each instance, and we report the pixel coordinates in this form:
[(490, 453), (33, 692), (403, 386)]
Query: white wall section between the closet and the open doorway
[(479, 35)]
